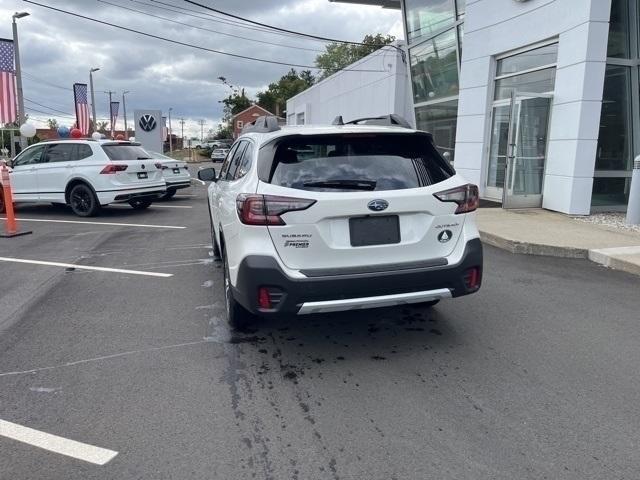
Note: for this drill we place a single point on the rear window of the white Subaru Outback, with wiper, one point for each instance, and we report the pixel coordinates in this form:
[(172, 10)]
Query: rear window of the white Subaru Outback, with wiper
[(358, 162)]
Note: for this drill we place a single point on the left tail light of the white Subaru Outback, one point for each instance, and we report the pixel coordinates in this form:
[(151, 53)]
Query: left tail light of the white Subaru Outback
[(266, 209)]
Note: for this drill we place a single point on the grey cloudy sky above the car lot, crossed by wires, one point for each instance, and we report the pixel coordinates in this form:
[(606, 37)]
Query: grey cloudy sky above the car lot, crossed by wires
[(58, 49)]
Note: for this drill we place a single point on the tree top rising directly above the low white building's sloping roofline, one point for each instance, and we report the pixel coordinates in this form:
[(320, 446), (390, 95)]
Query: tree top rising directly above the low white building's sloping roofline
[(340, 55)]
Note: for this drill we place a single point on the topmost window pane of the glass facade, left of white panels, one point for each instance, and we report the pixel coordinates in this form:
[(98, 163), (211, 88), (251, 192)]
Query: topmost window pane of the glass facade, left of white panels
[(425, 17)]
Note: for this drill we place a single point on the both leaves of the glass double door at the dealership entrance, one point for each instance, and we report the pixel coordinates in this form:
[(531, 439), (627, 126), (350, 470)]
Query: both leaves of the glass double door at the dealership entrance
[(518, 150)]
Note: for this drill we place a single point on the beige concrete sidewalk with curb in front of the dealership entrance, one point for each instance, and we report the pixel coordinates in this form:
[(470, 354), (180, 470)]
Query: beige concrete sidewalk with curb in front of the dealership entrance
[(541, 232)]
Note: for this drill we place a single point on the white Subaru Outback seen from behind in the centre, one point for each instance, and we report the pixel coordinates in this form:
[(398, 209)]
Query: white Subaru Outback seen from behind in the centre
[(322, 219)]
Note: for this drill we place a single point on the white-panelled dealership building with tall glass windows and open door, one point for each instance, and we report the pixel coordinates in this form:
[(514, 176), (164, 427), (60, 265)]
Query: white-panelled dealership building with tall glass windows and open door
[(536, 101)]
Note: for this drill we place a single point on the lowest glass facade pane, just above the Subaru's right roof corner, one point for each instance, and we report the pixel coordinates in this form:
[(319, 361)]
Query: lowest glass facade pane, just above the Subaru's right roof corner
[(440, 120)]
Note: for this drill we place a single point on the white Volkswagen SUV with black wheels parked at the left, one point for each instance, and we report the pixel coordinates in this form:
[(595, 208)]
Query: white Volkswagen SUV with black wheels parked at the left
[(86, 174)]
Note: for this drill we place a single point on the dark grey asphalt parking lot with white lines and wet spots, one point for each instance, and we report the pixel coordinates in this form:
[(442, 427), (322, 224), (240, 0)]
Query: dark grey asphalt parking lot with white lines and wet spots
[(121, 350)]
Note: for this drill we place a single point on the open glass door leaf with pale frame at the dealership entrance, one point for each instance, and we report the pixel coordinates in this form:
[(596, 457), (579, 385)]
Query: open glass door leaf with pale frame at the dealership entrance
[(527, 151)]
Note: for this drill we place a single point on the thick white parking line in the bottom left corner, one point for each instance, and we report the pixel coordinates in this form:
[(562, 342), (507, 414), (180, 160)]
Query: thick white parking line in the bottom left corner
[(54, 443)]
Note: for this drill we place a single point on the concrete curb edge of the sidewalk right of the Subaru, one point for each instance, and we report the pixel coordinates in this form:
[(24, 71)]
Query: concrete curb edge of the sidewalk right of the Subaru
[(608, 257)]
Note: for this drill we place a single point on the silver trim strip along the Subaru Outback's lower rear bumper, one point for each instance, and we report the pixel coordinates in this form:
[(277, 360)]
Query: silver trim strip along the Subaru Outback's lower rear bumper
[(373, 302)]
